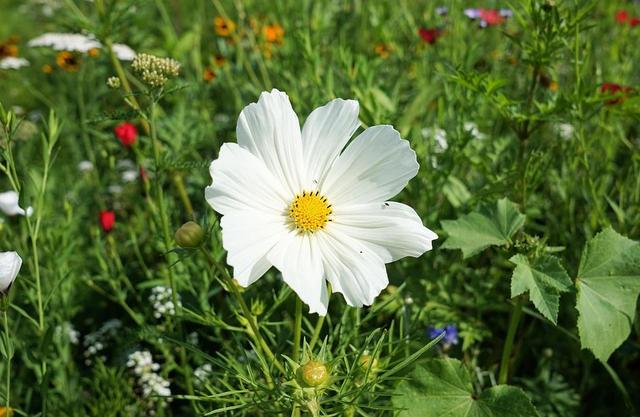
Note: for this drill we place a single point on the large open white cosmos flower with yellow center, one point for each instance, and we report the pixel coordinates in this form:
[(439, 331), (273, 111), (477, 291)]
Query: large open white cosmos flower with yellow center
[(295, 200)]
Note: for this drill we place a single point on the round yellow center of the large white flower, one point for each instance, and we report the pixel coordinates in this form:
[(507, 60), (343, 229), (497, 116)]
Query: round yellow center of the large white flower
[(310, 211)]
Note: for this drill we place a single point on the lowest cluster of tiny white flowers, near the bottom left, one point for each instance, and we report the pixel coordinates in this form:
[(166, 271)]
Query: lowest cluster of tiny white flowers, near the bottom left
[(151, 384)]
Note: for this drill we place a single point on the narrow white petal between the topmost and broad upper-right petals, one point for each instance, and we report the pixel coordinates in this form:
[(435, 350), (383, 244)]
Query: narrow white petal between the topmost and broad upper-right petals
[(324, 134)]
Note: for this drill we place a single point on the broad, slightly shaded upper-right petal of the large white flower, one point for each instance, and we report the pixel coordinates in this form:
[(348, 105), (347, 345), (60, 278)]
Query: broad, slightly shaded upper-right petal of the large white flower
[(375, 167)]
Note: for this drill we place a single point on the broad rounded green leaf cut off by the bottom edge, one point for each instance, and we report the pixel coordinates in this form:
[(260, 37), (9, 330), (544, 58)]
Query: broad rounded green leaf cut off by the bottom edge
[(443, 388)]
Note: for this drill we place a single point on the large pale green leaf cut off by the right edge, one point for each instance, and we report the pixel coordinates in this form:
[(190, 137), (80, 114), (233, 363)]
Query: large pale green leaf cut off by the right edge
[(608, 286)]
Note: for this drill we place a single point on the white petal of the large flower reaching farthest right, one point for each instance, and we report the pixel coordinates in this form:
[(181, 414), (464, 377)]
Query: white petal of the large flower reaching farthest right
[(392, 230)]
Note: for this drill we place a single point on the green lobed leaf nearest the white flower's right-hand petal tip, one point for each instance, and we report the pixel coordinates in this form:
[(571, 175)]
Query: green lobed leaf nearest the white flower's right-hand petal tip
[(493, 224)]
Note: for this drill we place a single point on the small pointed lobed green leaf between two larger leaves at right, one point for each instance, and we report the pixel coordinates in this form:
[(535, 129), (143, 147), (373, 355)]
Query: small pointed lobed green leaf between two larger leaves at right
[(544, 278)]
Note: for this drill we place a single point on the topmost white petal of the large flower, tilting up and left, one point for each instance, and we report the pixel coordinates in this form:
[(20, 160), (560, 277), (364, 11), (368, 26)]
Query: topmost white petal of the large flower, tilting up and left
[(270, 130)]
